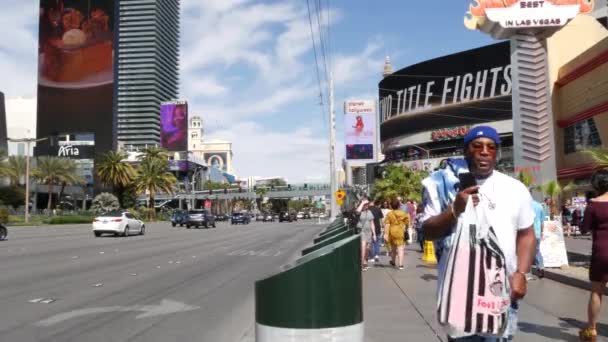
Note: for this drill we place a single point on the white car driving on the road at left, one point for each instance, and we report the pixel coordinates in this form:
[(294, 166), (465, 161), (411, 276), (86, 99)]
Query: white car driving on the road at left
[(118, 223)]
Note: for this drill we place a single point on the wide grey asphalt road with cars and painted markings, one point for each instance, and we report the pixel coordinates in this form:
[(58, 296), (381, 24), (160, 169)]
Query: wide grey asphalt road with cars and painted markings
[(60, 283)]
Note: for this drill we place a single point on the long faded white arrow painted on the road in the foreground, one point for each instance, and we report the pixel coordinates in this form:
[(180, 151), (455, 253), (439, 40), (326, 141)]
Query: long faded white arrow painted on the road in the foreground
[(165, 307)]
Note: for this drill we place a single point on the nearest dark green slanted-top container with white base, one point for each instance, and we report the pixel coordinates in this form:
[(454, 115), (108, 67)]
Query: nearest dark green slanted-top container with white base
[(316, 298)]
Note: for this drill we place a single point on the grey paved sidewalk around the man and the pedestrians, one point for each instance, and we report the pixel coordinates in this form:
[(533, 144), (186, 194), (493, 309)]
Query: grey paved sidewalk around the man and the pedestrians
[(400, 306)]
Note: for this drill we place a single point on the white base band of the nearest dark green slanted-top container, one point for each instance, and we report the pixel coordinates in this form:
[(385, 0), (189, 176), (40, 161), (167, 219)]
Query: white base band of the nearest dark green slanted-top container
[(352, 333)]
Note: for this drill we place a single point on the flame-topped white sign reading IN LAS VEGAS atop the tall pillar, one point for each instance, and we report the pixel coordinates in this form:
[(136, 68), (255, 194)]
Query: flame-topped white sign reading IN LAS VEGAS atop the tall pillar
[(511, 15)]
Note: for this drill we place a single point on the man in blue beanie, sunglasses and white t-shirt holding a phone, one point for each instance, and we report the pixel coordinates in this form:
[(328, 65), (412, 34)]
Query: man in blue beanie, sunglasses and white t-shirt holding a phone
[(510, 206)]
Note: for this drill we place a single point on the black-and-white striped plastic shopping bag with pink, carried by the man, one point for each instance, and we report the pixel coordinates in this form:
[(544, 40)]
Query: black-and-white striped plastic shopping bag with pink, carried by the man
[(474, 294)]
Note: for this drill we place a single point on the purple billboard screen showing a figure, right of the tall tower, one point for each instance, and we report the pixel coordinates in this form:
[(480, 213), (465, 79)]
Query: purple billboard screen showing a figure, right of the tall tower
[(174, 125)]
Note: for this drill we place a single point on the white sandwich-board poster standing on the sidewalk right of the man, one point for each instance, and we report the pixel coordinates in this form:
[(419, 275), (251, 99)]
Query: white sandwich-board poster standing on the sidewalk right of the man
[(553, 245)]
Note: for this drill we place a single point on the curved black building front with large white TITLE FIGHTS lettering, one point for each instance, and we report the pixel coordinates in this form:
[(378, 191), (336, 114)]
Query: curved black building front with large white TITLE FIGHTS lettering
[(427, 108)]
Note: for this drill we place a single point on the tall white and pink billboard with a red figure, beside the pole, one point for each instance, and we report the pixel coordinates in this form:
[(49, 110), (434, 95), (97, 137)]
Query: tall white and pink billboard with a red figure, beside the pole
[(359, 129)]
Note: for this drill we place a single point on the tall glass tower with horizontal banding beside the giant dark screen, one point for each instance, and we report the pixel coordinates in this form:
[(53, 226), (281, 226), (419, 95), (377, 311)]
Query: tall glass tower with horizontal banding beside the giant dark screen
[(148, 68)]
